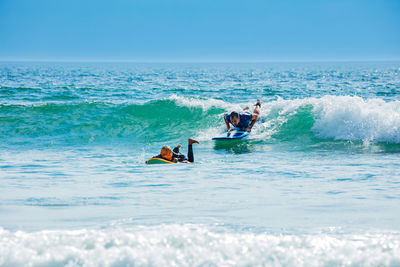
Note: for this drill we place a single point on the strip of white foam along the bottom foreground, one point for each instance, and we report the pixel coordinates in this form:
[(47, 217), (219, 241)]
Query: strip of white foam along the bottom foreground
[(194, 245)]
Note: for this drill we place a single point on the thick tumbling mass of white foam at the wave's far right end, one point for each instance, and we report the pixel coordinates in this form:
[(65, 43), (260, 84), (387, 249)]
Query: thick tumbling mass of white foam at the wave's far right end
[(353, 118)]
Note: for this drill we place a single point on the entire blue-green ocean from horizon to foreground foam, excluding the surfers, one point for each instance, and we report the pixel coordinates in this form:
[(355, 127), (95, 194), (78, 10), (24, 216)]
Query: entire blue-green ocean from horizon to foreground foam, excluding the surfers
[(316, 184)]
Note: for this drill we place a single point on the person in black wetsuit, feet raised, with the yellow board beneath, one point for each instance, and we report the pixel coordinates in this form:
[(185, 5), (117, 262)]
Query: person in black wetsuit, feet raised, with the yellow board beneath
[(174, 156)]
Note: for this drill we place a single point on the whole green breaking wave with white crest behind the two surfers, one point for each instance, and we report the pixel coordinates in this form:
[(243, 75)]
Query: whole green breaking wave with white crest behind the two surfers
[(347, 118)]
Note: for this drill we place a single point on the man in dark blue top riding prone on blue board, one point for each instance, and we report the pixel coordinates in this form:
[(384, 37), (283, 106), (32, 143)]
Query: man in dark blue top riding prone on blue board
[(243, 121)]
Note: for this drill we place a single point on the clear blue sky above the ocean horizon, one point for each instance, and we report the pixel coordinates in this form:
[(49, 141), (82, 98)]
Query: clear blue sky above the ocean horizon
[(200, 30)]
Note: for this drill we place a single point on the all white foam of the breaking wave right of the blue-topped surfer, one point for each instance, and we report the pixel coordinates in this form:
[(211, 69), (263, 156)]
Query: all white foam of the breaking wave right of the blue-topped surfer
[(337, 117)]
